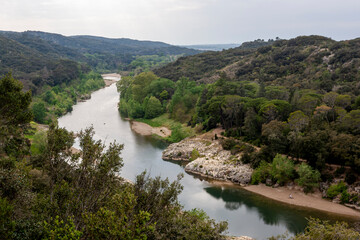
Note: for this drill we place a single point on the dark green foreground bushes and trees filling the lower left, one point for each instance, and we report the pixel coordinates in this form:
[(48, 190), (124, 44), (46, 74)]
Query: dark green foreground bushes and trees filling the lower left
[(57, 194)]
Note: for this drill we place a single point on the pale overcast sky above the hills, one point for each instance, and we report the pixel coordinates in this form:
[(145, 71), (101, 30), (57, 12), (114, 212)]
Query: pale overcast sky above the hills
[(185, 21)]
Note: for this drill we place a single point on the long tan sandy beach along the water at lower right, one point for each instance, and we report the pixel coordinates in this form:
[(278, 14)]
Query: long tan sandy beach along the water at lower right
[(313, 200)]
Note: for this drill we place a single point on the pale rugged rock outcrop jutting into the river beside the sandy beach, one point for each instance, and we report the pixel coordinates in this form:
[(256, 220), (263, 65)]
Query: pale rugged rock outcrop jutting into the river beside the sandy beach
[(209, 159)]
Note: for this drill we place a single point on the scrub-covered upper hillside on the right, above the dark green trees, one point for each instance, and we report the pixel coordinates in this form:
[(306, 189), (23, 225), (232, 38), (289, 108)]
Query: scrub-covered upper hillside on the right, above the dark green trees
[(307, 61)]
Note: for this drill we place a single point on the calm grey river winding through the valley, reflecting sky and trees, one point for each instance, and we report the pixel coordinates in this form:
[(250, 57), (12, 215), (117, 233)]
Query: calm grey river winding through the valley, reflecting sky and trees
[(247, 213)]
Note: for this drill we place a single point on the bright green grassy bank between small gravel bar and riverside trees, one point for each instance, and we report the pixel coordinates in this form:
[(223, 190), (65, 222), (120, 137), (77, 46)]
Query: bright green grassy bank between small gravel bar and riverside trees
[(178, 131)]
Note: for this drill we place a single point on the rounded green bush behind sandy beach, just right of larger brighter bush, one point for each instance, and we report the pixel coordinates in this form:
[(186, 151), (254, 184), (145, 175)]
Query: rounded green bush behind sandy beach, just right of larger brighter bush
[(308, 178)]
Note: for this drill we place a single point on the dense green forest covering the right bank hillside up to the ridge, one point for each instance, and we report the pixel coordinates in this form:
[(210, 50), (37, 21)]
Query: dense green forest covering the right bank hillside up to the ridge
[(297, 97)]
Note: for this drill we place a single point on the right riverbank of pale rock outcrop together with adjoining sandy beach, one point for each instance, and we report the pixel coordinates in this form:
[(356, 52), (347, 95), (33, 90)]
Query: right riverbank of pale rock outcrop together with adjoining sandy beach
[(205, 156)]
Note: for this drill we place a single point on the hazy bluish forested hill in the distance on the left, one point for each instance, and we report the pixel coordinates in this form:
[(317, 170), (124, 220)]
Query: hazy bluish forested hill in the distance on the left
[(34, 56)]
